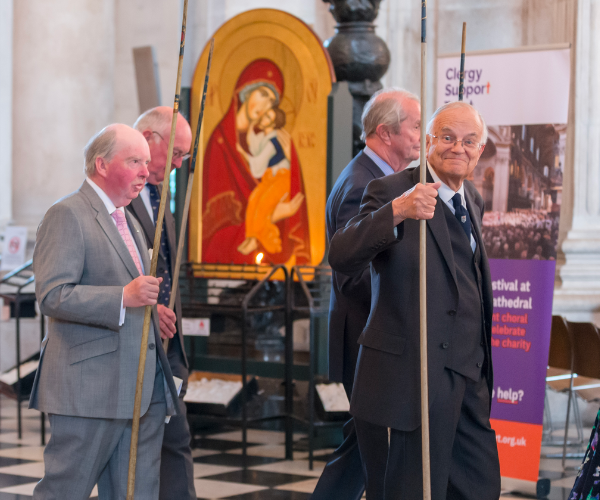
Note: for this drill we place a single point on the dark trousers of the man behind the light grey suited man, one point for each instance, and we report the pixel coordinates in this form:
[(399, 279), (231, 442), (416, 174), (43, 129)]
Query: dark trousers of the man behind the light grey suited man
[(176, 466)]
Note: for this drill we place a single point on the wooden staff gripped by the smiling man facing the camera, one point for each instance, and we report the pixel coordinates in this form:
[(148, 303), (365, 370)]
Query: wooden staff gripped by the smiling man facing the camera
[(423, 272)]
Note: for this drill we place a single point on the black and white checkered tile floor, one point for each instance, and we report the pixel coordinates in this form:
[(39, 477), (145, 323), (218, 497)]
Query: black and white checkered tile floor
[(217, 464)]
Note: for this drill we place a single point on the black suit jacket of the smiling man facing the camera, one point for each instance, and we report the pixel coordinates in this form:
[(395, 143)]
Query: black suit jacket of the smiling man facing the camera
[(387, 385)]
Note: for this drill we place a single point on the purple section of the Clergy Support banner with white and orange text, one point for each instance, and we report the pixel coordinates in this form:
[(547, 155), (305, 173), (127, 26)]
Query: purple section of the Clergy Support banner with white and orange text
[(523, 291)]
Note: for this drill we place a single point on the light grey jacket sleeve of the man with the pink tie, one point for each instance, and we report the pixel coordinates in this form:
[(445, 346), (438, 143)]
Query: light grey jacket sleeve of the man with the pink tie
[(58, 263)]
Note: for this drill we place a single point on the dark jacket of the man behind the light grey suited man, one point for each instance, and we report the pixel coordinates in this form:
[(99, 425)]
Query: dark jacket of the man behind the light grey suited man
[(138, 209)]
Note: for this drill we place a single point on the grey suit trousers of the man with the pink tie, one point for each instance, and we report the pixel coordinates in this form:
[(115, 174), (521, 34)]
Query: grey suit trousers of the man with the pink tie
[(85, 451)]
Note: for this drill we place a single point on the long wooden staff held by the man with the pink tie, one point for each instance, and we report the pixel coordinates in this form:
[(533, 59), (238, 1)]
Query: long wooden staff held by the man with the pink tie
[(135, 425)]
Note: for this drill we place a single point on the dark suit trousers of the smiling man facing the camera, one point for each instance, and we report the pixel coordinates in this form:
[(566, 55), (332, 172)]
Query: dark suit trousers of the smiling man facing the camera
[(464, 456)]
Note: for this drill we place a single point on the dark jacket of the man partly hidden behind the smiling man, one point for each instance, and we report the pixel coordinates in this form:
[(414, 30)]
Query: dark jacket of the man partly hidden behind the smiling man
[(350, 301)]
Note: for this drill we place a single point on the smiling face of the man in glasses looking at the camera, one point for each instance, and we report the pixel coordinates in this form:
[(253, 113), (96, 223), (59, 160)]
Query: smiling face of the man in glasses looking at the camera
[(454, 162)]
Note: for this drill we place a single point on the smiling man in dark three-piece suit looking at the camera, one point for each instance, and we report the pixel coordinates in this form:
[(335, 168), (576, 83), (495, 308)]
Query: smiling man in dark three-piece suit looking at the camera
[(386, 394)]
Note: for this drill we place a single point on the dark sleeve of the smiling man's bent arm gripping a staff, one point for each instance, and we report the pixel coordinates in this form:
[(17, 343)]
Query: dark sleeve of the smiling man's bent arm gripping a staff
[(369, 233)]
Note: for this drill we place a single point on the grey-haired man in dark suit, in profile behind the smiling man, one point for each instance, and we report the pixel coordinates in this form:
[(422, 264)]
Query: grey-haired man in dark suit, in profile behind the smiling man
[(391, 130)]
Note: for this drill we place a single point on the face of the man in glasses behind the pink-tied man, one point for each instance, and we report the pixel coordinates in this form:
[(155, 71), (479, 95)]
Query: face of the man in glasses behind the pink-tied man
[(159, 148)]
